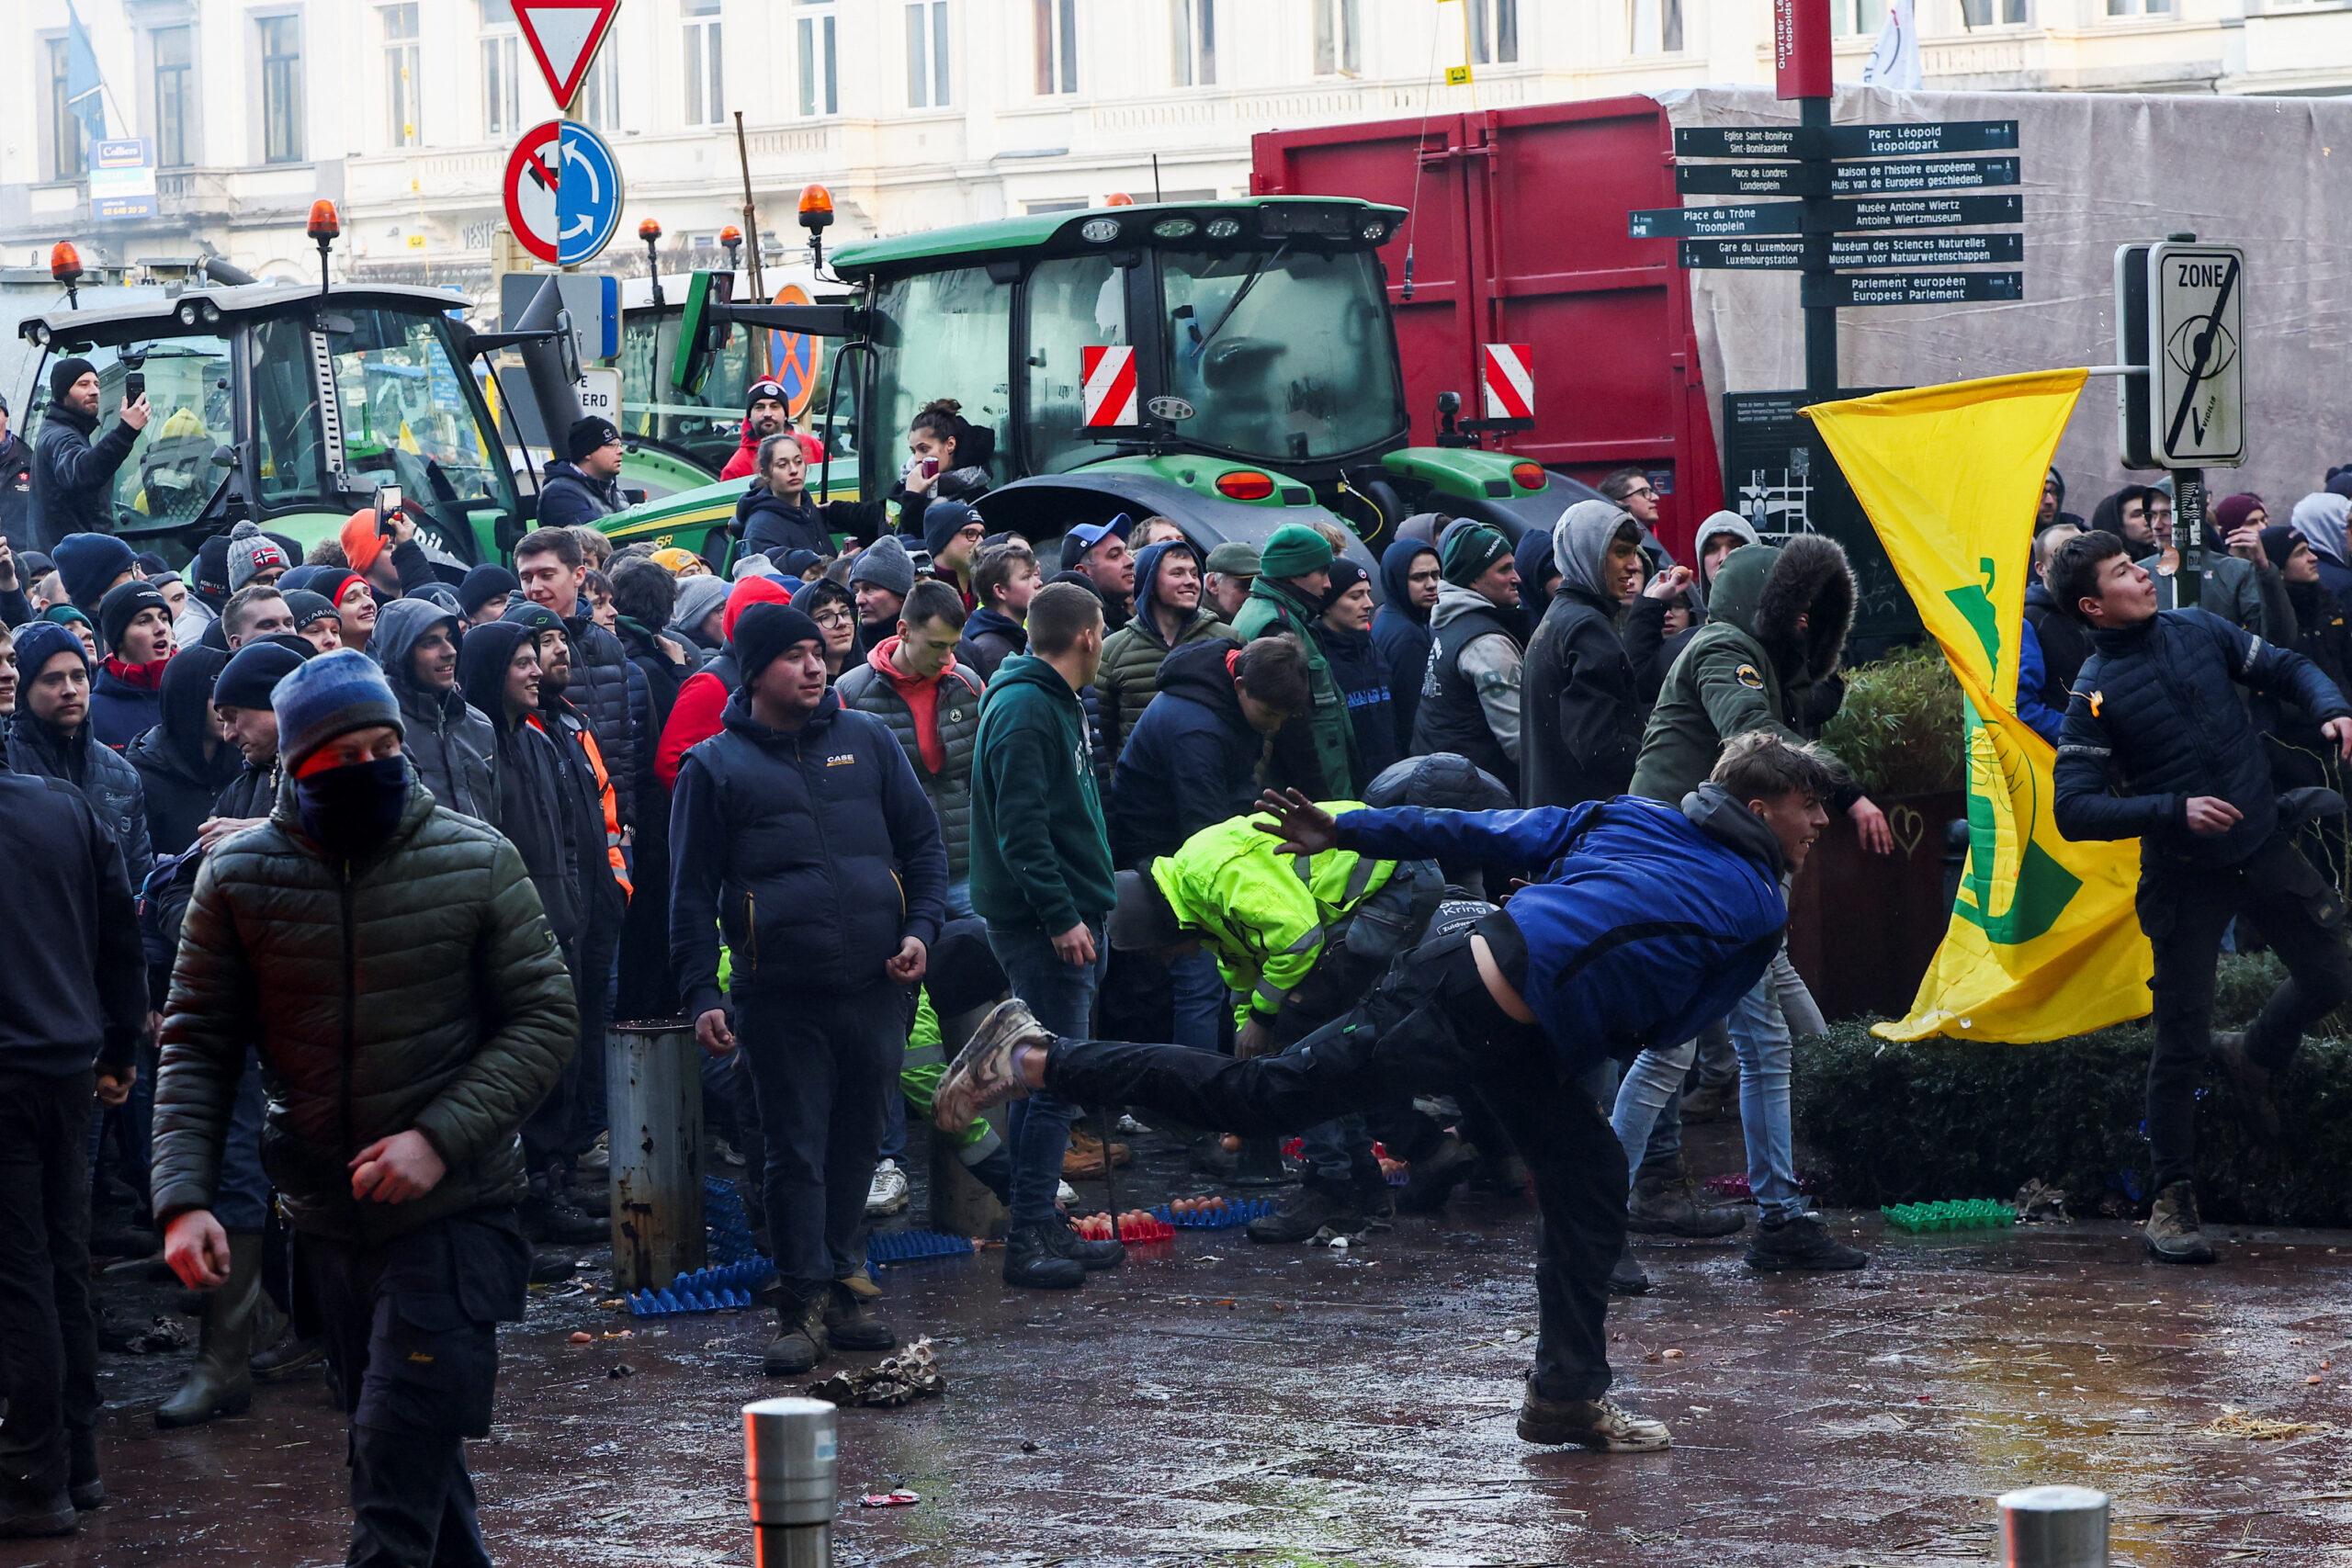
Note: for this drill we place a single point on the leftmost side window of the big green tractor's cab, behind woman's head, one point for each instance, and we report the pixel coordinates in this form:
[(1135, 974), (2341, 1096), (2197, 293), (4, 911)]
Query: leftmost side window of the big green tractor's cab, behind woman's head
[(942, 335)]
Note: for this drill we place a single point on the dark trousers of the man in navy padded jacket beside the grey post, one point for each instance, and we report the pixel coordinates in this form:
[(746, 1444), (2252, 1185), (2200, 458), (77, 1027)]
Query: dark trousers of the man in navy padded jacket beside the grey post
[(822, 1068)]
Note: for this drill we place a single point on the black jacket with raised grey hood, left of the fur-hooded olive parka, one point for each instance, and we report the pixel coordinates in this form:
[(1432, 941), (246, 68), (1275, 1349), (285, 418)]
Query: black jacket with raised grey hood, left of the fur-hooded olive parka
[(1579, 709)]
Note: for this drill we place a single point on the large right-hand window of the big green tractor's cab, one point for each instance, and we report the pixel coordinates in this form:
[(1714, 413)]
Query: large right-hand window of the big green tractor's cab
[(1285, 356)]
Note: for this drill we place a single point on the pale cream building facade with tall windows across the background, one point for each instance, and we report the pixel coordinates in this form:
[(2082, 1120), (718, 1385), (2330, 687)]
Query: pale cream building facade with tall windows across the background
[(916, 114)]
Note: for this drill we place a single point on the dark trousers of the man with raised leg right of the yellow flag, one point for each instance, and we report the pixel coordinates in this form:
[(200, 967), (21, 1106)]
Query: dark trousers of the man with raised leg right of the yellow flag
[(2184, 911)]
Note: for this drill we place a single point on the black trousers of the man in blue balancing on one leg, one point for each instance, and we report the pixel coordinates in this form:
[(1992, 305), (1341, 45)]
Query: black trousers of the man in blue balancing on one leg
[(1429, 1026)]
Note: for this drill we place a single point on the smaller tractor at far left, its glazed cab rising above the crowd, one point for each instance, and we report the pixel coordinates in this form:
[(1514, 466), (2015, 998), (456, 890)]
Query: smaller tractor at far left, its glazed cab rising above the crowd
[(295, 406)]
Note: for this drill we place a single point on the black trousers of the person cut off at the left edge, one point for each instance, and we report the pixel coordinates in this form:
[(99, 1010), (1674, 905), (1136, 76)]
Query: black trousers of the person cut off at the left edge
[(48, 1327)]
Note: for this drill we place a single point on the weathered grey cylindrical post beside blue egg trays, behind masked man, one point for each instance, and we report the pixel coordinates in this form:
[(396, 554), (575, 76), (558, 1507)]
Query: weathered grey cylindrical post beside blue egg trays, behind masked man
[(655, 1101)]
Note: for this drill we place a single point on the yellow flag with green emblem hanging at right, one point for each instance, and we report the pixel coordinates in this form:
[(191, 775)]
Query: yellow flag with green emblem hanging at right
[(2045, 942)]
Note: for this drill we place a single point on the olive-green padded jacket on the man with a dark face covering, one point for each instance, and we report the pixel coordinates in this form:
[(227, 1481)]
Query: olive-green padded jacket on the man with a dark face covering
[(413, 991)]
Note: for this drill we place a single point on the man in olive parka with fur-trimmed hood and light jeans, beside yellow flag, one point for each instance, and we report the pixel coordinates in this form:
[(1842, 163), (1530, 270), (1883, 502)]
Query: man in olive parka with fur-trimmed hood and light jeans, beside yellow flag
[(1768, 659)]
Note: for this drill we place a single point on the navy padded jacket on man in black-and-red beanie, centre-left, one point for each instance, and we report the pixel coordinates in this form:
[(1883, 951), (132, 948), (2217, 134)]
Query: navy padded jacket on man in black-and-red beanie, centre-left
[(815, 852)]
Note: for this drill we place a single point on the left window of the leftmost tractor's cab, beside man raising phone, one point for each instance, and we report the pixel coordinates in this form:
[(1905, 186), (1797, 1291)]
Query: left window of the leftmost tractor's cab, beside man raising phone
[(171, 474)]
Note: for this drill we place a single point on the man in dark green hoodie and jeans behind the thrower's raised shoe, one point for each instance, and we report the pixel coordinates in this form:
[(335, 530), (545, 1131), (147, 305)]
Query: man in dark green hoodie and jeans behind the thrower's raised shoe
[(1041, 878)]
